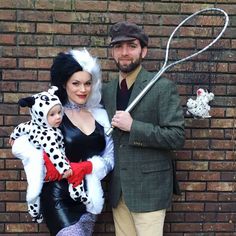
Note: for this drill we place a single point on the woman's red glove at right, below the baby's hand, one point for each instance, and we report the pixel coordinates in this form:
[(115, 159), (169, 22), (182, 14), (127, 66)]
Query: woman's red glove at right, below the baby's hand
[(80, 169)]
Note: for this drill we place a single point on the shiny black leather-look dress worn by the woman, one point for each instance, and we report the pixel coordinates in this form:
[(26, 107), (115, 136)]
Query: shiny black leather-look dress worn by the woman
[(58, 208)]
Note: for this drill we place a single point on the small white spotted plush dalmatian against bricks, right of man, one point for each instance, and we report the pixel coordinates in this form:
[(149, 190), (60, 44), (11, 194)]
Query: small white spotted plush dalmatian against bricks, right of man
[(199, 108)]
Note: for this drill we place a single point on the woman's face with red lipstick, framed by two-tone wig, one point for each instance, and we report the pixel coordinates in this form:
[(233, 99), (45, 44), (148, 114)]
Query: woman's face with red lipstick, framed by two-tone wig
[(78, 87)]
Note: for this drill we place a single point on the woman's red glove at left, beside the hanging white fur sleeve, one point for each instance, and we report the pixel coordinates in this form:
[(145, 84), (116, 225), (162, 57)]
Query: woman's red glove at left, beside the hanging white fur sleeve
[(52, 174)]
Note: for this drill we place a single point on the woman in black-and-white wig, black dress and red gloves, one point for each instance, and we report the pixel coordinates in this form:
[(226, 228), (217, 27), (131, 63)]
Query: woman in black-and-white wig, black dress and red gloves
[(78, 78)]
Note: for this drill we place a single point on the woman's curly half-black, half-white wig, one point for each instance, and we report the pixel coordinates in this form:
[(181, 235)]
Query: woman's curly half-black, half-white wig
[(66, 64)]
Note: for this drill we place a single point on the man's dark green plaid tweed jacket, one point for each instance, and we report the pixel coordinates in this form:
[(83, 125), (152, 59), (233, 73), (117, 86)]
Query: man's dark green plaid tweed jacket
[(143, 171)]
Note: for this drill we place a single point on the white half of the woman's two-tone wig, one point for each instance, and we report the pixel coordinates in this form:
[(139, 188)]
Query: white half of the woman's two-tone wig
[(90, 64)]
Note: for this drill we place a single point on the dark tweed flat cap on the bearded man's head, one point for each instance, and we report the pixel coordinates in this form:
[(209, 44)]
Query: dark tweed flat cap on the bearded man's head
[(126, 31)]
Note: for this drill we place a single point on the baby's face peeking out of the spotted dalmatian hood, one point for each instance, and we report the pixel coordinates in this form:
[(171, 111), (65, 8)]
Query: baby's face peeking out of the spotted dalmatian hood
[(54, 116)]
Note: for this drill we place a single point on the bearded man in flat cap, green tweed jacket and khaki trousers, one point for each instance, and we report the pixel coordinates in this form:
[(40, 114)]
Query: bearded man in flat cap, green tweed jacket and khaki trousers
[(142, 181)]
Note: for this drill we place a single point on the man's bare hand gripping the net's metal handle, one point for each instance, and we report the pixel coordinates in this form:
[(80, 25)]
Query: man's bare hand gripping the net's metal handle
[(122, 120)]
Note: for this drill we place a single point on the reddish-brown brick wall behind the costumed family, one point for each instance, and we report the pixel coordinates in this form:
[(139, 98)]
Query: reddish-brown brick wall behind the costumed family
[(33, 32)]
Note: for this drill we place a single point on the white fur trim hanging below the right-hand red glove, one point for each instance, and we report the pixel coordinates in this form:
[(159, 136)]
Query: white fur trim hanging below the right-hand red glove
[(95, 194)]
